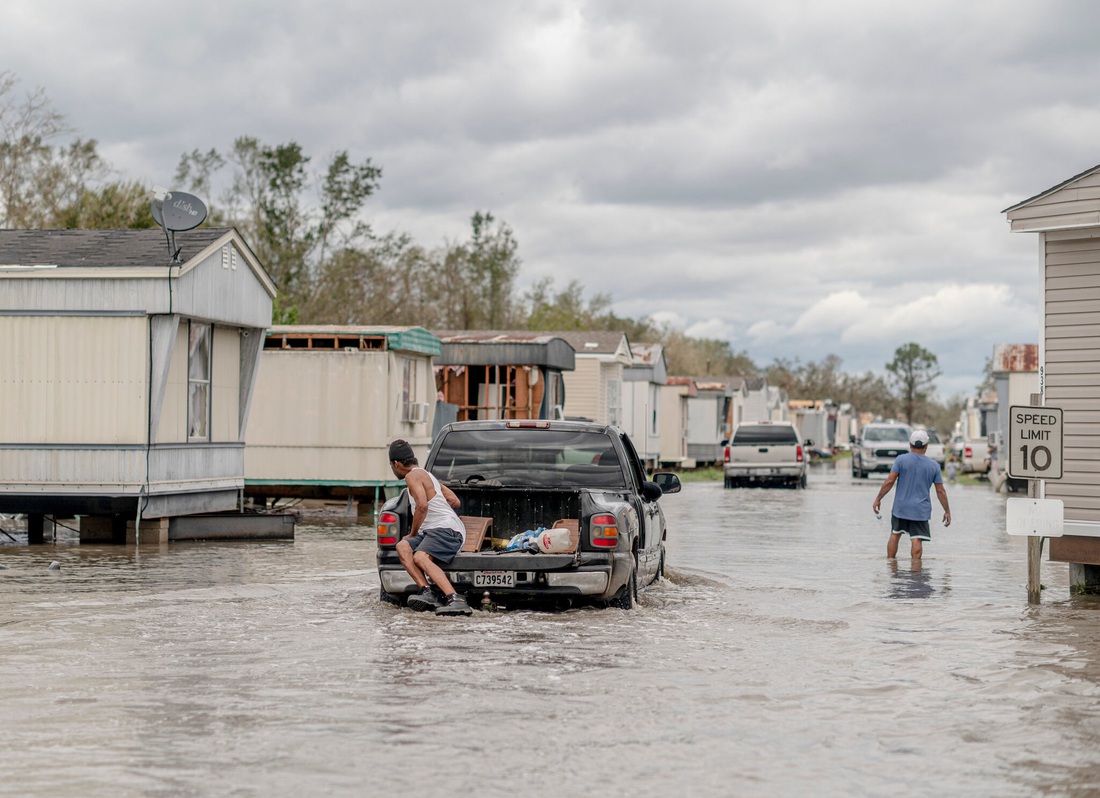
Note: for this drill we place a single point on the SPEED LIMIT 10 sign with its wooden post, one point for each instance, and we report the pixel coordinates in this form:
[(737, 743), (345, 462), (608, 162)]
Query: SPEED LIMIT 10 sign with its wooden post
[(1035, 454)]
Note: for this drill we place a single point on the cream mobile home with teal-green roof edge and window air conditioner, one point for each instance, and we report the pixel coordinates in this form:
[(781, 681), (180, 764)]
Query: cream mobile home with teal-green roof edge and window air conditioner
[(329, 401)]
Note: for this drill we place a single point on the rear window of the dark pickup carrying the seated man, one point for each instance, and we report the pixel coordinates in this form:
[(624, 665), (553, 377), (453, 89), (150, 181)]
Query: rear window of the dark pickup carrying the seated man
[(524, 457)]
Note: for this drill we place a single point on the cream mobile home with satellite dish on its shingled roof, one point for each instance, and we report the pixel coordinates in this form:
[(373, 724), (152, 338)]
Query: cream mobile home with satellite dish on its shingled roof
[(127, 376)]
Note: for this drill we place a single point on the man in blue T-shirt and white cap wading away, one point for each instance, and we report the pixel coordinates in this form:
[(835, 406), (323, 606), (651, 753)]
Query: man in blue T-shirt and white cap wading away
[(912, 509)]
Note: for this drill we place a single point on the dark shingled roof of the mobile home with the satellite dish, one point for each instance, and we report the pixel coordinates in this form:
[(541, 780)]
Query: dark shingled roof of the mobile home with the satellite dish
[(102, 248)]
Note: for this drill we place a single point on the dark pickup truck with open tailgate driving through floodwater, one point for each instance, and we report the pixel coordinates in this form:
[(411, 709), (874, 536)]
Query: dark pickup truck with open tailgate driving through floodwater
[(513, 477)]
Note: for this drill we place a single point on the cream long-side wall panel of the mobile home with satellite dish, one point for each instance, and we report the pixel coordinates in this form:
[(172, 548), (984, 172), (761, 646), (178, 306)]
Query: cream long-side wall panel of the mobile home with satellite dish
[(74, 379)]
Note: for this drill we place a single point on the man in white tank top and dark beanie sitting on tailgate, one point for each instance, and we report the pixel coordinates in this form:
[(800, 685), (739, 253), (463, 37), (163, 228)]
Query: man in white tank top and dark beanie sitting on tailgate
[(437, 534)]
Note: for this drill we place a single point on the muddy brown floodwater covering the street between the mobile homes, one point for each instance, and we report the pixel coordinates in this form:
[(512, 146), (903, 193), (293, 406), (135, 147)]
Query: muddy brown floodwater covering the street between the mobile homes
[(784, 655)]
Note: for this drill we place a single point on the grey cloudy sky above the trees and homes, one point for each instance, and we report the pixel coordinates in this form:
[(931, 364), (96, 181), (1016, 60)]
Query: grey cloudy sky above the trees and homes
[(800, 179)]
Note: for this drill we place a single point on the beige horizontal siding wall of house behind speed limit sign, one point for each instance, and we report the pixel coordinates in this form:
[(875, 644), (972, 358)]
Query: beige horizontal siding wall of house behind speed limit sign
[(1072, 378)]
